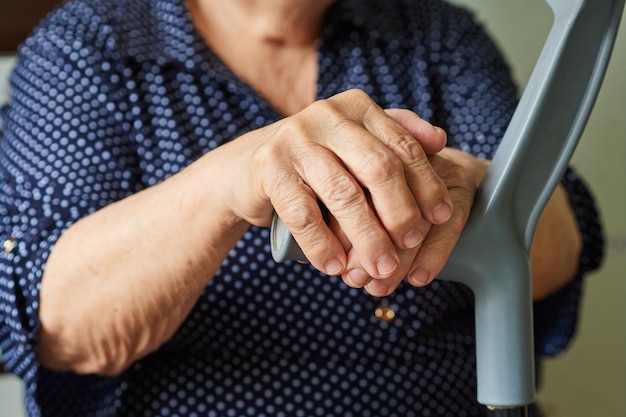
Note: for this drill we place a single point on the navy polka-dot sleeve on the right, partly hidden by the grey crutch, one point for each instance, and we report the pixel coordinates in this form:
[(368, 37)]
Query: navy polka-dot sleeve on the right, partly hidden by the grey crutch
[(476, 99)]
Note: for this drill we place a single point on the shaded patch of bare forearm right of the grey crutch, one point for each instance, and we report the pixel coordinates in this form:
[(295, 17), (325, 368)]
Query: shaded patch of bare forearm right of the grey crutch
[(556, 246)]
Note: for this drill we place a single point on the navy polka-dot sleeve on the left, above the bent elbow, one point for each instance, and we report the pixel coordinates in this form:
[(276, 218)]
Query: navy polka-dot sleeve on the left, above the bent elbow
[(63, 155)]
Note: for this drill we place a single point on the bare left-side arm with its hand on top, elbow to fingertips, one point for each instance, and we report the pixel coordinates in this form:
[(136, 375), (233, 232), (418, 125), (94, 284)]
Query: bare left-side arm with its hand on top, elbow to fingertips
[(137, 267)]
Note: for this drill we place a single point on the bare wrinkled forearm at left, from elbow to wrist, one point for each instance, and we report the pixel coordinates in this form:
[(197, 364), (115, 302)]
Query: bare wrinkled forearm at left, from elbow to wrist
[(119, 282)]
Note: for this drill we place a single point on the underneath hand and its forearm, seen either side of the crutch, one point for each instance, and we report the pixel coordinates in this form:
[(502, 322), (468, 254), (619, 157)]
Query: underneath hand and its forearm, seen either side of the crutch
[(554, 254)]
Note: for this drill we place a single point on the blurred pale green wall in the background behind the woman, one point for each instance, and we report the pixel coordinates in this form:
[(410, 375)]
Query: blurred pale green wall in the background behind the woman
[(590, 378)]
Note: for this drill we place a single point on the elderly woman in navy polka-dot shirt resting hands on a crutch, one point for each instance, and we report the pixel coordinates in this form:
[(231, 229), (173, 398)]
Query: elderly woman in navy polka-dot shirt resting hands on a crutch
[(148, 144)]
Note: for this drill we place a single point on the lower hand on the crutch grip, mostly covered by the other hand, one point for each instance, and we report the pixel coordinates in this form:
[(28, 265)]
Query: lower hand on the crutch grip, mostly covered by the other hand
[(462, 173)]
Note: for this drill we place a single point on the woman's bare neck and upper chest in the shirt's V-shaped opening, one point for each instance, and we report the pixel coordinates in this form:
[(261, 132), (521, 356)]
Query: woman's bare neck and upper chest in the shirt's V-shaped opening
[(270, 44)]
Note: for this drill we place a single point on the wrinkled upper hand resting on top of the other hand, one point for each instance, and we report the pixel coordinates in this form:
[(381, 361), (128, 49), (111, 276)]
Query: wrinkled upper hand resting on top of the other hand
[(369, 167)]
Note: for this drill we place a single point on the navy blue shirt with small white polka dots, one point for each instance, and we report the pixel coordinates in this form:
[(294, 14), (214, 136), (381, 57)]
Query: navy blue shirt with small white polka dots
[(111, 97)]
